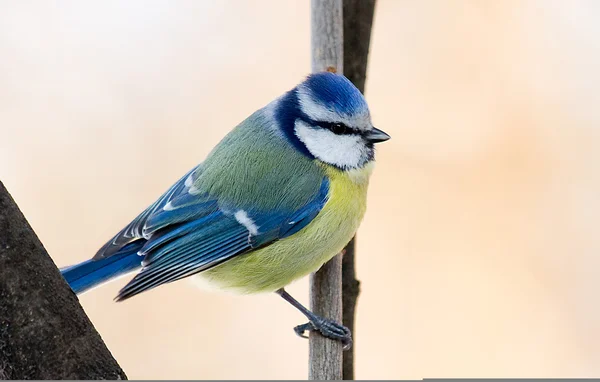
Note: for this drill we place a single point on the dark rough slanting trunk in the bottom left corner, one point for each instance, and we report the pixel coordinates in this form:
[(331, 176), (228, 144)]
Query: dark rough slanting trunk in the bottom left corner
[(44, 332)]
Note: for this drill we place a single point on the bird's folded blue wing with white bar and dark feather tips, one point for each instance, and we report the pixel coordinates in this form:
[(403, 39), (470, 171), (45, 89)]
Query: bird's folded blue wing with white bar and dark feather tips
[(188, 232)]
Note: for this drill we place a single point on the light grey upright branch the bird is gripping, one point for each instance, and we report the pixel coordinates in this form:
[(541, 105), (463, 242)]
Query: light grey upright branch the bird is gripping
[(325, 355)]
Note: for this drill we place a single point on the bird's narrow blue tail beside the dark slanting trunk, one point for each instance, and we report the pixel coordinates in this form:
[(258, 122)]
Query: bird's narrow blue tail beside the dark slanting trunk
[(91, 273)]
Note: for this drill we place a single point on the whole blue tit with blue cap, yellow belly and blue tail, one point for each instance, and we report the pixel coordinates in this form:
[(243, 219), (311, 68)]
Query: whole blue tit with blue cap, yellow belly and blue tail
[(278, 197)]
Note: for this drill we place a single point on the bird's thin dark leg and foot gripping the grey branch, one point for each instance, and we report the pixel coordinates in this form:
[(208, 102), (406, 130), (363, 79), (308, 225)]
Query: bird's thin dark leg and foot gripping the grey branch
[(327, 328)]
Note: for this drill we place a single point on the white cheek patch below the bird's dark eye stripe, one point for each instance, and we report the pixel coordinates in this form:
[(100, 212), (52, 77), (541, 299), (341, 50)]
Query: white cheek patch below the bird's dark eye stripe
[(345, 151)]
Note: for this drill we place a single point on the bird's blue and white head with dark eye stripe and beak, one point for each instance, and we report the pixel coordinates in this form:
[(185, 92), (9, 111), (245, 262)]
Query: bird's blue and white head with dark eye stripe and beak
[(327, 118)]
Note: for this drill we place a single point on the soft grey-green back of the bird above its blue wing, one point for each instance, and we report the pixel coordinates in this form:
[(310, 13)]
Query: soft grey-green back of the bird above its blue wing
[(255, 167)]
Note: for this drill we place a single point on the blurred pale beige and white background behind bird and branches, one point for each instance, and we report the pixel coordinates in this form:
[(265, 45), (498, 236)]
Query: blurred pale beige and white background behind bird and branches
[(479, 255)]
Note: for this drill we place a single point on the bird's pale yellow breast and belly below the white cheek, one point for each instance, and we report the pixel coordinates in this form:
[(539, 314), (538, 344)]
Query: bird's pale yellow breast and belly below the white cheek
[(286, 260)]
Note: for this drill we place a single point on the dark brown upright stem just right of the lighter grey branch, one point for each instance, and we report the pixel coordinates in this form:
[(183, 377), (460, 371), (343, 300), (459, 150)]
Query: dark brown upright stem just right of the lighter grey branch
[(358, 22)]
